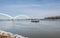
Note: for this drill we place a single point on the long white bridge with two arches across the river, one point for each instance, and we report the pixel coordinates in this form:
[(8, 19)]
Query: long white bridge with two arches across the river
[(6, 17)]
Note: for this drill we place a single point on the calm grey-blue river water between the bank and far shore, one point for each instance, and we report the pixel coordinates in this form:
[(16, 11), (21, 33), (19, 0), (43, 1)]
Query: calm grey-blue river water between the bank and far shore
[(43, 29)]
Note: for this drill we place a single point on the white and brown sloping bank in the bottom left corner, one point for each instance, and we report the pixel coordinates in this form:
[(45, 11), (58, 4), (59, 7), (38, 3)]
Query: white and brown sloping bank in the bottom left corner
[(10, 35)]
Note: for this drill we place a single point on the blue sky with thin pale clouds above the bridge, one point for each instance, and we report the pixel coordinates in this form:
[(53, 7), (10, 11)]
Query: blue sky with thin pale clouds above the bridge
[(32, 8)]
